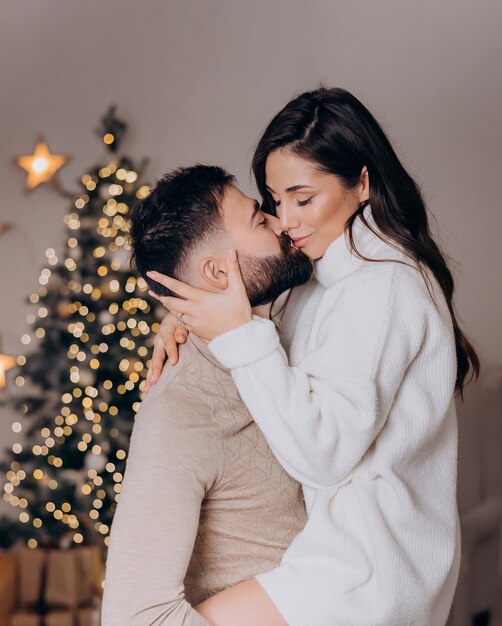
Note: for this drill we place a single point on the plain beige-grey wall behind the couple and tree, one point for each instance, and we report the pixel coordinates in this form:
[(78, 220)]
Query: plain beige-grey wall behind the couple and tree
[(199, 79)]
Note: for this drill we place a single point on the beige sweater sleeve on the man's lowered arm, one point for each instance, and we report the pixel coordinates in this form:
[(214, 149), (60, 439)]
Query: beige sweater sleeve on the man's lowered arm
[(173, 460)]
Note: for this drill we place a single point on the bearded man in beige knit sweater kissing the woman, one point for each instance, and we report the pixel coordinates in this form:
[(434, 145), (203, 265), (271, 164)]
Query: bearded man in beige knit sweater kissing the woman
[(204, 503)]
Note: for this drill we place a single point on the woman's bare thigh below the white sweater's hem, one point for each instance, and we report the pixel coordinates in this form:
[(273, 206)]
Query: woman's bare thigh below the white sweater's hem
[(245, 604)]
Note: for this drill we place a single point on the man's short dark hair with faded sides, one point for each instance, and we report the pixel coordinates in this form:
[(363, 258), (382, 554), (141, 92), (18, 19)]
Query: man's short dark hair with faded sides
[(181, 212)]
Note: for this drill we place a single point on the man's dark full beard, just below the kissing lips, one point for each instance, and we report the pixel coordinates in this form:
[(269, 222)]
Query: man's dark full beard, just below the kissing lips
[(266, 278)]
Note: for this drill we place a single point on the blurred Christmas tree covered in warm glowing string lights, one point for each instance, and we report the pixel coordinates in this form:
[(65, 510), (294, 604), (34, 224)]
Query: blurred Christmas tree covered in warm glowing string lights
[(92, 332)]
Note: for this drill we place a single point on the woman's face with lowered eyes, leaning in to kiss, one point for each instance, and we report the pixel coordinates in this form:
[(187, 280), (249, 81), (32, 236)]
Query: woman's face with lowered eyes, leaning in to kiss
[(312, 206)]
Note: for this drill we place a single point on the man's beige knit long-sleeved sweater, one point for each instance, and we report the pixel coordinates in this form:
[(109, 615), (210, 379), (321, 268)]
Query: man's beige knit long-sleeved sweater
[(204, 503)]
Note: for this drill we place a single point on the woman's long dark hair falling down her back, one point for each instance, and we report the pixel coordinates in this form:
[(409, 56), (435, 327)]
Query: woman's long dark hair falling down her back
[(333, 130)]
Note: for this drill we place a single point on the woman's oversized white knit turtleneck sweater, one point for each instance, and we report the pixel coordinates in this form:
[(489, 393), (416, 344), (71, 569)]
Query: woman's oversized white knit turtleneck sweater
[(357, 404)]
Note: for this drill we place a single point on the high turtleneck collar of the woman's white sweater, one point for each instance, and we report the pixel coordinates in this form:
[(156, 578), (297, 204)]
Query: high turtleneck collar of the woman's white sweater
[(339, 260)]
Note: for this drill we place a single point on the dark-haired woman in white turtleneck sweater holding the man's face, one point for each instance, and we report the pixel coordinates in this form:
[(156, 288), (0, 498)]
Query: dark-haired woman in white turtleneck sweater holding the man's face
[(357, 402)]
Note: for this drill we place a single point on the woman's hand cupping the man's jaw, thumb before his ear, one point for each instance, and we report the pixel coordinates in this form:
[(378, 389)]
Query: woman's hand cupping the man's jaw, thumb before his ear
[(205, 313)]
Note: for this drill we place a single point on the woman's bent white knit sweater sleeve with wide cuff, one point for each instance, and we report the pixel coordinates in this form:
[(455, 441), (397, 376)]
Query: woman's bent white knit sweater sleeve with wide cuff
[(322, 415)]
